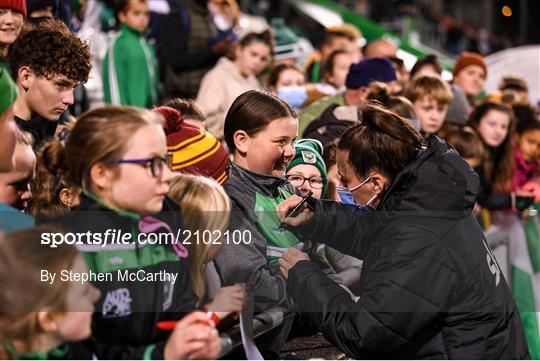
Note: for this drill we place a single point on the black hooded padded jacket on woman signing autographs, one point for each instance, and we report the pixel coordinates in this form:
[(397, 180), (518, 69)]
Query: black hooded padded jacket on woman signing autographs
[(430, 286)]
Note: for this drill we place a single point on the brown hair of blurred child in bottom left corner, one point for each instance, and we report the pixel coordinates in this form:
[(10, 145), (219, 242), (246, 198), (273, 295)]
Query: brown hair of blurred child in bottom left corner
[(22, 295)]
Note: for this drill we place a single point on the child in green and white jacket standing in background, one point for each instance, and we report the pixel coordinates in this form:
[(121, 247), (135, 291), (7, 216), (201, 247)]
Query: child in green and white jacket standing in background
[(130, 75)]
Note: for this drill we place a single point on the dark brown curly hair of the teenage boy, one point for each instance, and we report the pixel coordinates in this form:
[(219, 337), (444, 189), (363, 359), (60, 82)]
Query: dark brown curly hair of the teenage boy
[(49, 49)]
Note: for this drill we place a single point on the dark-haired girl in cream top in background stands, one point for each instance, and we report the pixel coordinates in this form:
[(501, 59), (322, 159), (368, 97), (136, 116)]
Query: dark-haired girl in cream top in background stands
[(228, 79)]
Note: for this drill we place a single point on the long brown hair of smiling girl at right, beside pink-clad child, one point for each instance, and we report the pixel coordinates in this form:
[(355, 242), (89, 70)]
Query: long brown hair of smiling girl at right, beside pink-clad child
[(497, 164)]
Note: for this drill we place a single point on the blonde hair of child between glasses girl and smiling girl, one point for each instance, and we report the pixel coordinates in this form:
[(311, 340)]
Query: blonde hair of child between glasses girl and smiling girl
[(205, 206)]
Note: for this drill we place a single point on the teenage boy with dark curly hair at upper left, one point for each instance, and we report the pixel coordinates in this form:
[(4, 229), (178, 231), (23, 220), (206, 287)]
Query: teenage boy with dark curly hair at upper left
[(47, 61)]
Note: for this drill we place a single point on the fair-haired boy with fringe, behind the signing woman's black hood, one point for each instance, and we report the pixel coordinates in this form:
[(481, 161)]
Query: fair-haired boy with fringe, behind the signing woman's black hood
[(430, 97)]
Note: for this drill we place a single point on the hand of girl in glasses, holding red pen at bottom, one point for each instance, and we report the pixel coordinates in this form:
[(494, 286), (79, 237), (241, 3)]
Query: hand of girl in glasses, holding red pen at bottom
[(193, 338)]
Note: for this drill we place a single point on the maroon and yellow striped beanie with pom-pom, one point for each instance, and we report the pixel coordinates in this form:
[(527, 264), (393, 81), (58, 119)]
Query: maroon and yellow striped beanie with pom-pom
[(194, 151)]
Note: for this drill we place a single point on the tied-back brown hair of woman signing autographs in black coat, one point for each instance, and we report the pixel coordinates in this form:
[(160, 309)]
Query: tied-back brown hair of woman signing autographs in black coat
[(383, 141)]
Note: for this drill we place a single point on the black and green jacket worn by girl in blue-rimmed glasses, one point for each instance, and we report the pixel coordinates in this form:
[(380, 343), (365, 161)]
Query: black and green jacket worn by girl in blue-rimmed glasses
[(124, 323)]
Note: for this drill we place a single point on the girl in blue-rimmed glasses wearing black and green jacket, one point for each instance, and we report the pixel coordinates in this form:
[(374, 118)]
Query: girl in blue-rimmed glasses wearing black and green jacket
[(118, 156)]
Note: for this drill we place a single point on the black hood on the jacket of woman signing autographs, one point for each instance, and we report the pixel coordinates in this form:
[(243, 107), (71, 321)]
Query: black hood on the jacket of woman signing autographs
[(437, 183)]
